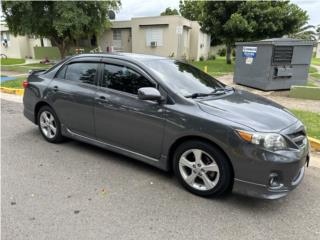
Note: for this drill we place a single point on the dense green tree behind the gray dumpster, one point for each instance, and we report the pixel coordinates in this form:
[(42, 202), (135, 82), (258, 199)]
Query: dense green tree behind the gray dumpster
[(231, 21)]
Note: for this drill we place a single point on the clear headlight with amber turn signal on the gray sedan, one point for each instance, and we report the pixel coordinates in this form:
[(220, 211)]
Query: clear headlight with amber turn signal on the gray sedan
[(272, 141)]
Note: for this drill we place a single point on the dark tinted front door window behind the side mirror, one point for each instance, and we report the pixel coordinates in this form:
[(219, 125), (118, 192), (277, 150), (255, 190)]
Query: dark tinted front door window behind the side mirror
[(124, 79)]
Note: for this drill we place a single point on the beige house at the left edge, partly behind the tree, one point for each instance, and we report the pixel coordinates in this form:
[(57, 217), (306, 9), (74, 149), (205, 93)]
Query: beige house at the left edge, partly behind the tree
[(19, 46)]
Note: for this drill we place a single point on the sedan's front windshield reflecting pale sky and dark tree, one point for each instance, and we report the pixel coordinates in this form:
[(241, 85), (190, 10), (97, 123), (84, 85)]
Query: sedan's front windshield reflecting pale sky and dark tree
[(183, 77)]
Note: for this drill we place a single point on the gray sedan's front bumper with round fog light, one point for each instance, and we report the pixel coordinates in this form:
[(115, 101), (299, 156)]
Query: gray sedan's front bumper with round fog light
[(270, 175)]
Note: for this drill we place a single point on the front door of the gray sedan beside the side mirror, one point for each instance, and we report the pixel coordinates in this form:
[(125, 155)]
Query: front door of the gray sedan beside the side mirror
[(123, 120)]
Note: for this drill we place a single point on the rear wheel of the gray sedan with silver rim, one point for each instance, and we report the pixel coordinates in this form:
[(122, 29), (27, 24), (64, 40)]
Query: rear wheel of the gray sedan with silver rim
[(47, 125)]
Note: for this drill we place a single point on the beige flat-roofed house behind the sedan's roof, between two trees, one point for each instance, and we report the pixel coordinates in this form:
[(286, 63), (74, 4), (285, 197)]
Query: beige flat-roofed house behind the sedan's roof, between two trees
[(168, 36)]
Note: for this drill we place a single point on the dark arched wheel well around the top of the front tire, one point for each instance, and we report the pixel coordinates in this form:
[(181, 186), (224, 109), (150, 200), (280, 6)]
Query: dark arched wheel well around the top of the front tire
[(179, 141)]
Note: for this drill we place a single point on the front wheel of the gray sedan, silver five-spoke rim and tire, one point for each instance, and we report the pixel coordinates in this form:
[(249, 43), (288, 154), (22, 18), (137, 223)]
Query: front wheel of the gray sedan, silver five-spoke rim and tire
[(209, 177)]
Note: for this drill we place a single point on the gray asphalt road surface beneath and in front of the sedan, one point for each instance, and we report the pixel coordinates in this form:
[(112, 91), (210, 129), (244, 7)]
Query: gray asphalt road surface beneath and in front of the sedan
[(76, 191)]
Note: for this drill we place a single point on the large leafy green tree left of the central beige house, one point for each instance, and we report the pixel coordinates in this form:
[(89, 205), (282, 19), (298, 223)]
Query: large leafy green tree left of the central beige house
[(61, 22)]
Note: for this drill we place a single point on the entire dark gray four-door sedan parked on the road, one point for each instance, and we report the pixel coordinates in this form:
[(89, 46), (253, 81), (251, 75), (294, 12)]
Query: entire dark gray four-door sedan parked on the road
[(173, 116)]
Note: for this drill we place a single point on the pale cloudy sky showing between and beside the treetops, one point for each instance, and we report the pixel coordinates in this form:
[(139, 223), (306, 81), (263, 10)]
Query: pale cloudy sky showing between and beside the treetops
[(144, 8)]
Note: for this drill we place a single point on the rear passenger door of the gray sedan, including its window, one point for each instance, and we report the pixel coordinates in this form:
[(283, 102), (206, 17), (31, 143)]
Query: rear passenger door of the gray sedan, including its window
[(72, 95)]
